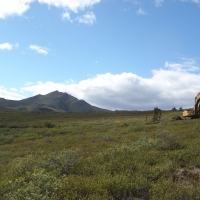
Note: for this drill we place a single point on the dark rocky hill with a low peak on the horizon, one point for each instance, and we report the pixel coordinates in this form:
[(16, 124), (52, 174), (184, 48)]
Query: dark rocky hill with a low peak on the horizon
[(53, 102)]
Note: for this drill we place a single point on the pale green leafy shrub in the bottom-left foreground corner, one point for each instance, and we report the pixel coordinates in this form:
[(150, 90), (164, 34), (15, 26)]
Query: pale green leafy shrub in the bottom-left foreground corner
[(36, 185)]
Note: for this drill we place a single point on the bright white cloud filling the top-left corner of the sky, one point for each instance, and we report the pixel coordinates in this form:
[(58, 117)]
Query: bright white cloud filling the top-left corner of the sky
[(13, 7)]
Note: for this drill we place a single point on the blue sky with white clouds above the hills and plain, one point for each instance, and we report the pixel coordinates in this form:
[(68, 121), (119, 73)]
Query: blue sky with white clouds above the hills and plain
[(114, 54)]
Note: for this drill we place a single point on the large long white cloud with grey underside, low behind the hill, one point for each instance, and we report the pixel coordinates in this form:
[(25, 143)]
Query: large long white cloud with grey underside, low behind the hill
[(174, 85)]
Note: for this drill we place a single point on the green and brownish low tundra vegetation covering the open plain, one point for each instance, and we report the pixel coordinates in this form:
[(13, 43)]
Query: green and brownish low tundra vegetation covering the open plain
[(115, 155)]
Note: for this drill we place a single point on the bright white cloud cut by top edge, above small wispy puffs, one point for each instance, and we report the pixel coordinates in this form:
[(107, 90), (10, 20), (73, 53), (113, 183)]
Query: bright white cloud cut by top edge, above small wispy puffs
[(72, 5)]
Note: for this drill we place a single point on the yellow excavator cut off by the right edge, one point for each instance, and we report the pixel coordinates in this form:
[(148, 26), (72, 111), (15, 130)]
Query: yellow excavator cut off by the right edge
[(193, 112)]
